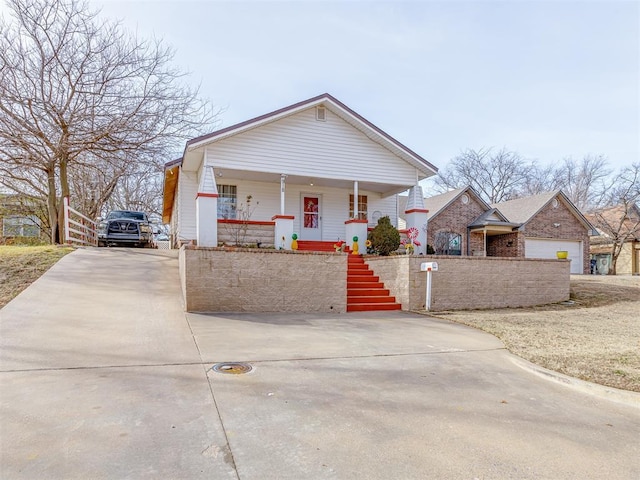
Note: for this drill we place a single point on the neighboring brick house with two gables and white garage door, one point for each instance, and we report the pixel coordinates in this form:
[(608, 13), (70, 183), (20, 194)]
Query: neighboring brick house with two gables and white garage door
[(461, 223)]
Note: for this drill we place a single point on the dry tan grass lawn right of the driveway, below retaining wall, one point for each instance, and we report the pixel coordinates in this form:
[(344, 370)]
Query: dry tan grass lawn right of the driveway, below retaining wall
[(595, 339)]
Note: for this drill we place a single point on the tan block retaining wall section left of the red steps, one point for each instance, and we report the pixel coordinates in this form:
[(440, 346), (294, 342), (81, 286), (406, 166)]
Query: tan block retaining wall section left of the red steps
[(251, 280)]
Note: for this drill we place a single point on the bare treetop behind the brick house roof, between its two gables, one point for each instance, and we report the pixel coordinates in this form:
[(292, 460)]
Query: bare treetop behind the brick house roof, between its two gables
[(496, 176)]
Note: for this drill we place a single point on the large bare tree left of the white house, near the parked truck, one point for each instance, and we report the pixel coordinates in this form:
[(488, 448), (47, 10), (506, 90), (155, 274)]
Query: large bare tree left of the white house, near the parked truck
[(81, 98)]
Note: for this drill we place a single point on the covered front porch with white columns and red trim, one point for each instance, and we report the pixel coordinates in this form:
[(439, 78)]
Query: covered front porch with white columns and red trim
[(290, 212)]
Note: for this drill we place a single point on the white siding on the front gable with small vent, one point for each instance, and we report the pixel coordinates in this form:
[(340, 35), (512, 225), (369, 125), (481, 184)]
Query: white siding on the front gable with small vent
[(301, 145)]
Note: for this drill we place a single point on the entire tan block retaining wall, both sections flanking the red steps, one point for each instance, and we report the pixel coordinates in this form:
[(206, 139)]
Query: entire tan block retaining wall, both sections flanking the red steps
[(253, 280)]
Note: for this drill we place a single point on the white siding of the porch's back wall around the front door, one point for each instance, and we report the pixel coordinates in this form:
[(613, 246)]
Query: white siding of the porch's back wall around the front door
[(335, 204)]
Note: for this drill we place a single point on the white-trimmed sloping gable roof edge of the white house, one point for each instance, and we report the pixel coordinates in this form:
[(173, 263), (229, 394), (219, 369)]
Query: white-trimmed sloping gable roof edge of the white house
[(335, 106)]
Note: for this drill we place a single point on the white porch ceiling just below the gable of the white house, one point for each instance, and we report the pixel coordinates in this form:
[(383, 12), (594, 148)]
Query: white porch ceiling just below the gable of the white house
[(271, 177)]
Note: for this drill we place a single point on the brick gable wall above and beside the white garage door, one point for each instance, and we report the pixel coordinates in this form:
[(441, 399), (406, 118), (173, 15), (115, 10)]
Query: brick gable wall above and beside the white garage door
[(570, 228)]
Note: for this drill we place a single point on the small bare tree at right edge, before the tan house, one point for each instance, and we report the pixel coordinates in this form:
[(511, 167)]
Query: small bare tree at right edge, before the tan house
[(620, 221)]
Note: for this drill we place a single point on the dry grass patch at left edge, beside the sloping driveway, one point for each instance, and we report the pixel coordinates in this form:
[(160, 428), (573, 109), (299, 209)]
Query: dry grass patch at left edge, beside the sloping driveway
[(21, 266)]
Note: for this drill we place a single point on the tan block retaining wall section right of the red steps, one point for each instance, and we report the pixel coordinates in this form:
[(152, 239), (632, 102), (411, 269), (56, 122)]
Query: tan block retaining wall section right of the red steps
[(474, 282)]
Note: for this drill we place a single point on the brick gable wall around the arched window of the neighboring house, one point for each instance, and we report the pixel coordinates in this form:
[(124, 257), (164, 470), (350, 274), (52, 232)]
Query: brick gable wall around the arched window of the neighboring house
[(455, 218)]
